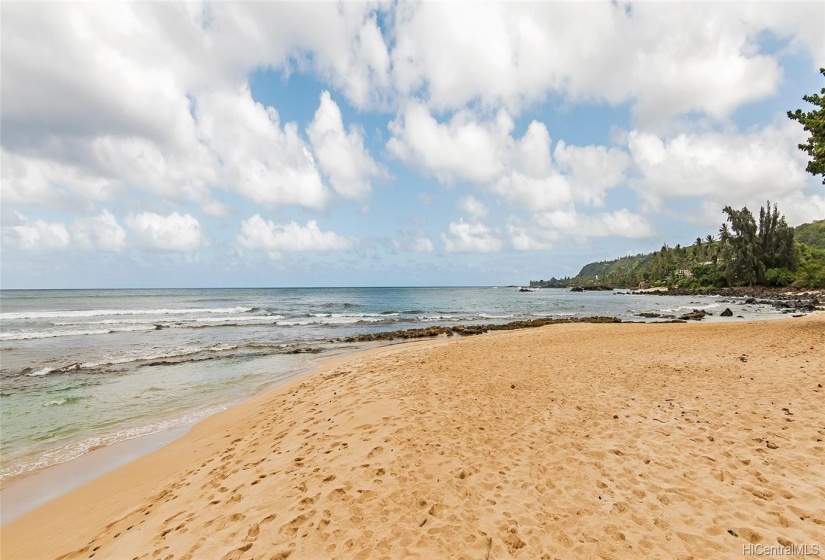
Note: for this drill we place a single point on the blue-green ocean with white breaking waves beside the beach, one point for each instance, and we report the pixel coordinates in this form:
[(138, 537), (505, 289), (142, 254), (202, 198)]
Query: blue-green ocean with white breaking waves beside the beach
[(80, 369)]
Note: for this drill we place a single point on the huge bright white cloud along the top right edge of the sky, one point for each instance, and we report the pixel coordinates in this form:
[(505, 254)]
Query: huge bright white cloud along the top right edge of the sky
[(665, 59)]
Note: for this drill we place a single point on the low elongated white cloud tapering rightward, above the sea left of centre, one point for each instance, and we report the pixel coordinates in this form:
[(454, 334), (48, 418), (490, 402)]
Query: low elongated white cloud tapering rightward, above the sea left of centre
[(258, 234)]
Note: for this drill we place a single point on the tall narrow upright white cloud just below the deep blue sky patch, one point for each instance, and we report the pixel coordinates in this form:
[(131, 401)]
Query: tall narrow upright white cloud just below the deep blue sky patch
[(341, 154)]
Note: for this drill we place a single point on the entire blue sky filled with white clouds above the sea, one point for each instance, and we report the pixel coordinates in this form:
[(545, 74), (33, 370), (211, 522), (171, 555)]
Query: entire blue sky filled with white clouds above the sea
[(264, 144)]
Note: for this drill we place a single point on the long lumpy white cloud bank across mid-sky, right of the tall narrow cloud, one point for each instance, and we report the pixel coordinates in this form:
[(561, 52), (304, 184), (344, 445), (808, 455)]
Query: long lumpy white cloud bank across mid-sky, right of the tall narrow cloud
[(522, 170)]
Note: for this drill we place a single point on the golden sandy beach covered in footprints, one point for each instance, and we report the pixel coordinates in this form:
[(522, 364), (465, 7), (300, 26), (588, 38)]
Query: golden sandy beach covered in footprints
[(566, 441)]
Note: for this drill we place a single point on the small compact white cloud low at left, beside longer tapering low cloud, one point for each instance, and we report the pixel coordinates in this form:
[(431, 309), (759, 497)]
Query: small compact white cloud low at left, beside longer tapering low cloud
[(174, 232)]
